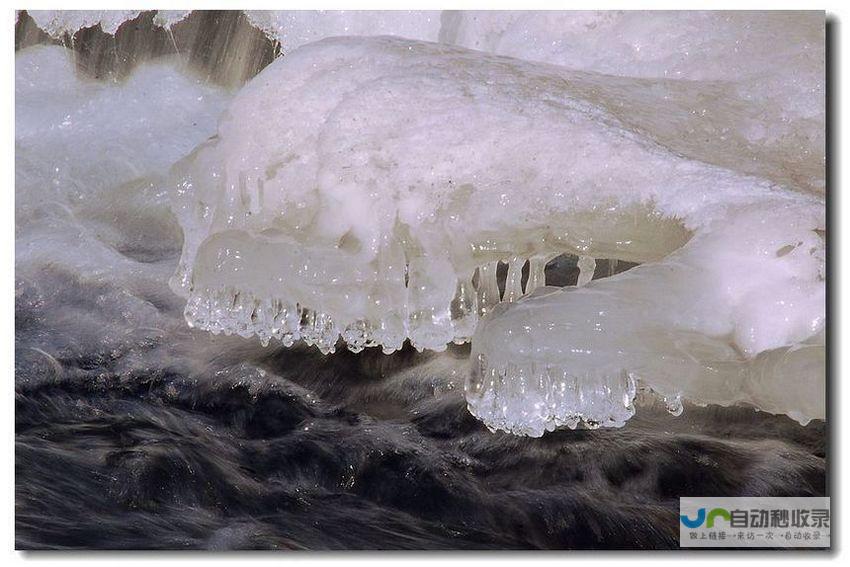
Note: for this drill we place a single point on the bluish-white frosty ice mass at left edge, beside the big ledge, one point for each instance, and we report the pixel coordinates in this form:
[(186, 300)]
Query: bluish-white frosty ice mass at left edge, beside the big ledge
[(94, 236)]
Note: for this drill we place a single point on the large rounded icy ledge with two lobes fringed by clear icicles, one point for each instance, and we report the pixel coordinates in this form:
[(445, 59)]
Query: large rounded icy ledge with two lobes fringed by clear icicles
[(367, 188)]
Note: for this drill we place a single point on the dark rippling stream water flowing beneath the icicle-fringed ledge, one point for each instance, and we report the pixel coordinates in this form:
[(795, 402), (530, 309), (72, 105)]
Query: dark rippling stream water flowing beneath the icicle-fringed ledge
[(169, 439)]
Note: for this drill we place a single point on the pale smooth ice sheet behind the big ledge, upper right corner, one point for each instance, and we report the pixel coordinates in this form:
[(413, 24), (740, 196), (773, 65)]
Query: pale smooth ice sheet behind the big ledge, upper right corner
[(773, 60)]
